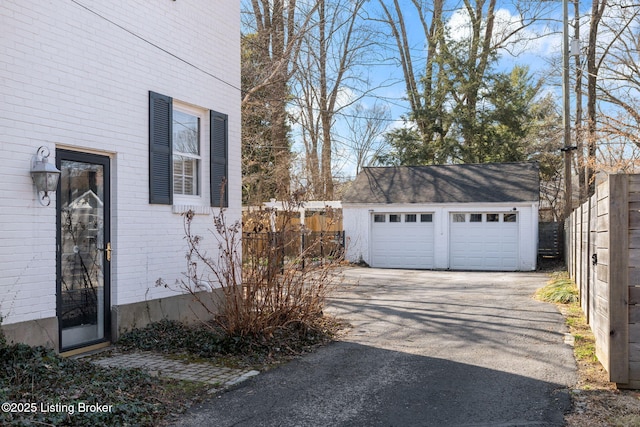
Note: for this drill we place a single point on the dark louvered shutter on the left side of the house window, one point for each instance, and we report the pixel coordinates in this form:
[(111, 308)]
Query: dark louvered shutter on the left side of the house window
[(160, 149)]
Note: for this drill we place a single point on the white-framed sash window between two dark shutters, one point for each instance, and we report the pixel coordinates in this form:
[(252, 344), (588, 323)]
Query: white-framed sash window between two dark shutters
[(186, 152)]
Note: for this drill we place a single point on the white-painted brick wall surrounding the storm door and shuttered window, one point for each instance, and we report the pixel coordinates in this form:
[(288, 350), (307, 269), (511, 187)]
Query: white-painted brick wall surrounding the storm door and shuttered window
[(78, 78)]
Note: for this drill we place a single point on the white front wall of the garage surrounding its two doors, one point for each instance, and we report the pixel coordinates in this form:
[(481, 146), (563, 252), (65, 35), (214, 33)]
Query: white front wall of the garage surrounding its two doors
[(357, 220)]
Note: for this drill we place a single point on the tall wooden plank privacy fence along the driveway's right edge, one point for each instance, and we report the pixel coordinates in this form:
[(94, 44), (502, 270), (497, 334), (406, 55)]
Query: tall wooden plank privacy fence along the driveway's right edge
[(603, 257)]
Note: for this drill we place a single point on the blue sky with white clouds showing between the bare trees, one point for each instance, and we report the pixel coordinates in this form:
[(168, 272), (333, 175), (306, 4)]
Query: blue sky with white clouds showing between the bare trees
[(539, 48)]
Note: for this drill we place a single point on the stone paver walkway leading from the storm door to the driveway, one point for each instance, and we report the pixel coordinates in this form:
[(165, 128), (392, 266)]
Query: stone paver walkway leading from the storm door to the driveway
[(156, 364)]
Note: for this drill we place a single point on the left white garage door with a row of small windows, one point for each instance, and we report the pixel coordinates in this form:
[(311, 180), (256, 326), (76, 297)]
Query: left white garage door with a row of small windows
[(402, 240)]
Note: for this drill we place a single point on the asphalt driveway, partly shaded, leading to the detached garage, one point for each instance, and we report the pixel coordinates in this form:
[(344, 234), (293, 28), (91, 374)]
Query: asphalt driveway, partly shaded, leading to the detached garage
[(427, 348)]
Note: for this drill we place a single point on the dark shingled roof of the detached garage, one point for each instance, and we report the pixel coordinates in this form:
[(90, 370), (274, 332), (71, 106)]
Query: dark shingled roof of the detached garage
[(466, 183)]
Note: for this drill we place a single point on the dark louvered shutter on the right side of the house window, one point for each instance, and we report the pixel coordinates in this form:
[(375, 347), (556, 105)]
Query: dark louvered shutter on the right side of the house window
[(219, 153)]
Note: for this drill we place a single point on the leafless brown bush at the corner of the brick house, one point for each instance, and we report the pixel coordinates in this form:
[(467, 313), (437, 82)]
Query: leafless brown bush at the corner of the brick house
[(264, 291)]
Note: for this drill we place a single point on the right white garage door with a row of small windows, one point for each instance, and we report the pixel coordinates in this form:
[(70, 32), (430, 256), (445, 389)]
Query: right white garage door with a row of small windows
[(484, 241)]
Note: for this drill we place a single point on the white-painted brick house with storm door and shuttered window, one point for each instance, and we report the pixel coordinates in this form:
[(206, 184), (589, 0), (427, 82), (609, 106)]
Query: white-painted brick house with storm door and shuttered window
[(138, 105)]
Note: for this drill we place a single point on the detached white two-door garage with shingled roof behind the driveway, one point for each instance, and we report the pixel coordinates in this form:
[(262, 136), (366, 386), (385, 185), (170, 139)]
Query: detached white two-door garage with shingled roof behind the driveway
[(458, 217)]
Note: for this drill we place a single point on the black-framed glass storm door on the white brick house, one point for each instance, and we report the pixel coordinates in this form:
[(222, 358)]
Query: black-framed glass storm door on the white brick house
[(84, 249)]
